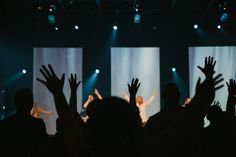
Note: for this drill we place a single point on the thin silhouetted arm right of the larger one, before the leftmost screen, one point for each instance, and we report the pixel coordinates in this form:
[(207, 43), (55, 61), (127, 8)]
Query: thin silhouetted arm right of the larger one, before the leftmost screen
[(73, 96)]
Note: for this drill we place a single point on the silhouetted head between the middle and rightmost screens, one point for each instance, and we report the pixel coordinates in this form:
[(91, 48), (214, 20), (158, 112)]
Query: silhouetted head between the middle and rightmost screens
[(171, 94)]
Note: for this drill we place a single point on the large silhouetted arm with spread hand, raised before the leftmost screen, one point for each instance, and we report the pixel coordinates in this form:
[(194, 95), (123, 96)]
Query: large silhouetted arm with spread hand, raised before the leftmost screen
[(73, 137)]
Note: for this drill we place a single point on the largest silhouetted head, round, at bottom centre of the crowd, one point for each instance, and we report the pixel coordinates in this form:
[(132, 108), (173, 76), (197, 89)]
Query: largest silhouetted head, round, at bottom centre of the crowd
[(112, 122)]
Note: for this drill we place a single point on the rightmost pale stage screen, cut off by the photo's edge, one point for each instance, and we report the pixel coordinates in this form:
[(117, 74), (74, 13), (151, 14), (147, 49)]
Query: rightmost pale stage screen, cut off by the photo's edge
[(225, 63)]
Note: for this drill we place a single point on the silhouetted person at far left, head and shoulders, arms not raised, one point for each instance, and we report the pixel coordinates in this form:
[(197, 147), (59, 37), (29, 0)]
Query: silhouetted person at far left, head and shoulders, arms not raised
[(23, 134)]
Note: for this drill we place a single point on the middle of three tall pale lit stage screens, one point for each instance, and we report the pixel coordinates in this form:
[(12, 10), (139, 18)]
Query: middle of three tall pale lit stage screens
[(143, 63)]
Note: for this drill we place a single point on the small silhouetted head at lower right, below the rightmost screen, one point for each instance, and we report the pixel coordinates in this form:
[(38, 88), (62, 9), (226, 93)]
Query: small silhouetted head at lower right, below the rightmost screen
[(215, 114)]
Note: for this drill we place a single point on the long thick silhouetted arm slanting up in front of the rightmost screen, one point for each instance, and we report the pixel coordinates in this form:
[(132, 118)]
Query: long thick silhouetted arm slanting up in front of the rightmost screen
[(187, 125)]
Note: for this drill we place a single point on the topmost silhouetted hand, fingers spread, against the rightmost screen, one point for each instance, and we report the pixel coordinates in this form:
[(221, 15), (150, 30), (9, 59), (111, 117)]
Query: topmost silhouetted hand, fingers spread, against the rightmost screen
[(209, 66)]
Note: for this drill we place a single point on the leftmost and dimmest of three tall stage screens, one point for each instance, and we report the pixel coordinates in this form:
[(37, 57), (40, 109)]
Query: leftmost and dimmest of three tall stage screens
[(63, 60)]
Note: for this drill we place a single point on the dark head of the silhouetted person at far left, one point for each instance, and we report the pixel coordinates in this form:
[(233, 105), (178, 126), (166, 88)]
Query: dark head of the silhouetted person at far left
[(23, 100)]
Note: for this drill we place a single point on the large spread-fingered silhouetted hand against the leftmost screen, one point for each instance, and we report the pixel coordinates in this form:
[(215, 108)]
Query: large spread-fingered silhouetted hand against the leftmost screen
[(53, 83)]
